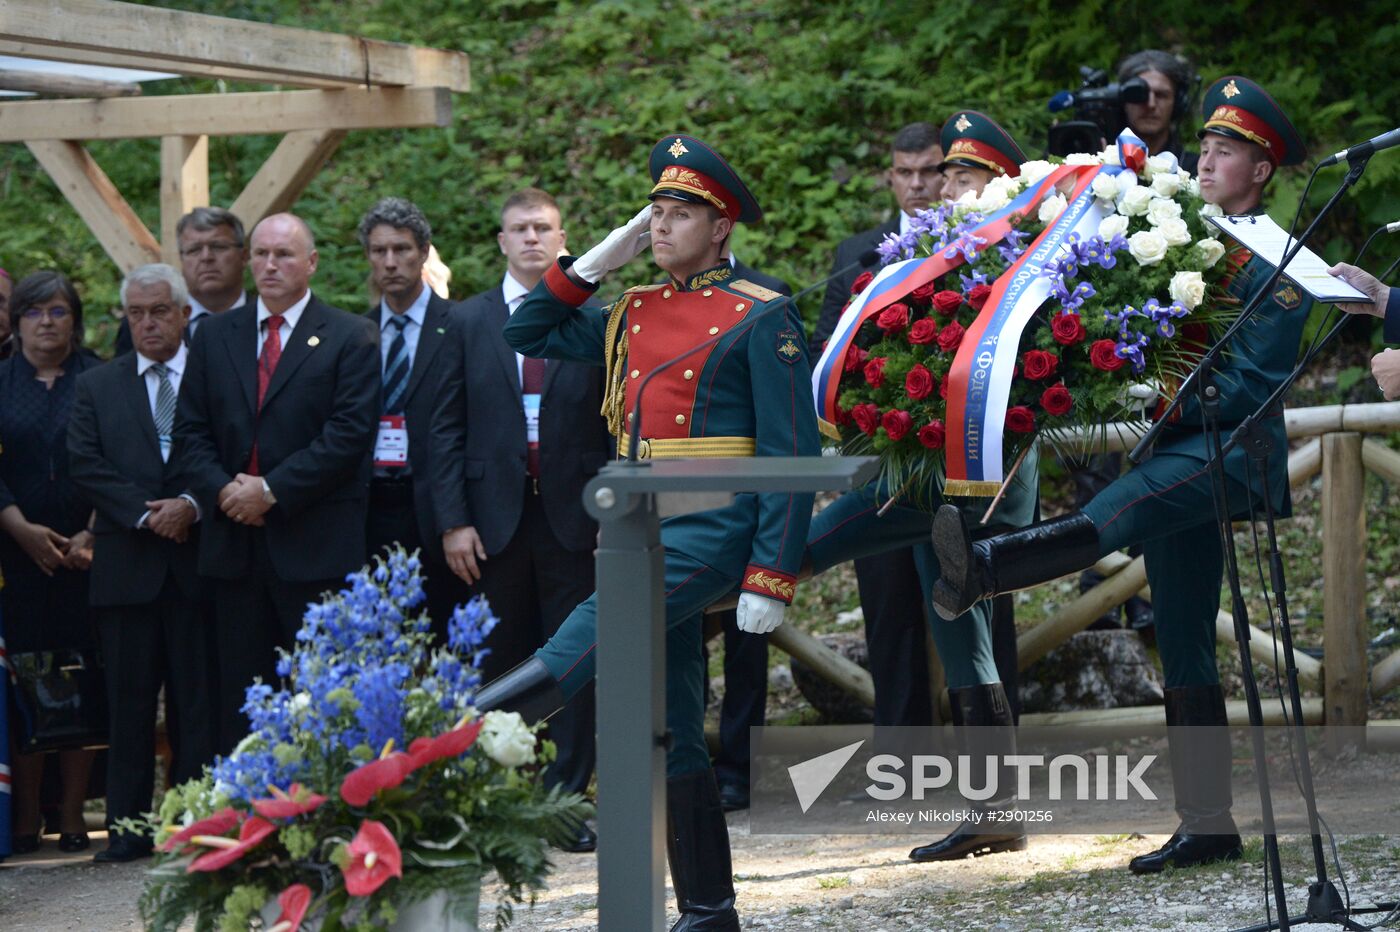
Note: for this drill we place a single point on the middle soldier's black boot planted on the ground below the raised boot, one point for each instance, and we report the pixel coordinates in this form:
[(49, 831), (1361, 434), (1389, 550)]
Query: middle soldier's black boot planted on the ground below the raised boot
[(988, 710)]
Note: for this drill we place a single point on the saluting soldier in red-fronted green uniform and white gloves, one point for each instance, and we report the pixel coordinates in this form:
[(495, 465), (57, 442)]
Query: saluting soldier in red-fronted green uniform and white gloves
[(745, 395)]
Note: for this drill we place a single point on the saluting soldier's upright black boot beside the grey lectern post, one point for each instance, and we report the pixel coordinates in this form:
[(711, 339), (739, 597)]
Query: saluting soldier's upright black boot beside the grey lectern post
[(698, 847)]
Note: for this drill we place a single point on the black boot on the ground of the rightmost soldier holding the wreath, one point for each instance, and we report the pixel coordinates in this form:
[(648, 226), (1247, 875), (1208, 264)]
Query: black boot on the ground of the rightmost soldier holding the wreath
[(1200, 782)]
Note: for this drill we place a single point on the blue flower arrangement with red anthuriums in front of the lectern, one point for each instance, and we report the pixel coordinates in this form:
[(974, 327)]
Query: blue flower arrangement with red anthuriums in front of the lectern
[(366, 784)]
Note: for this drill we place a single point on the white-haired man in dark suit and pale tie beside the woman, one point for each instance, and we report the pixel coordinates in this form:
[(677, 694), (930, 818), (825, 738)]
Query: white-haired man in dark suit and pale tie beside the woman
[(145, 584)]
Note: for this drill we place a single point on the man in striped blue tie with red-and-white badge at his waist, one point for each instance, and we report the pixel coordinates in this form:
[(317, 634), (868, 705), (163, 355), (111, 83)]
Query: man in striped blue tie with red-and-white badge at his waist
[(412, 324)]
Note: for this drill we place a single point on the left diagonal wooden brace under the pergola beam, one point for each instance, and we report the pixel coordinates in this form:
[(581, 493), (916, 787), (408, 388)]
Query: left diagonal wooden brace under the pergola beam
[(99, 204)]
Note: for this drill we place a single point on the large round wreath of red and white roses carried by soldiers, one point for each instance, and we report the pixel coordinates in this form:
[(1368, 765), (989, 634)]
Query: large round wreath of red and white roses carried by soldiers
[(1135, 295)]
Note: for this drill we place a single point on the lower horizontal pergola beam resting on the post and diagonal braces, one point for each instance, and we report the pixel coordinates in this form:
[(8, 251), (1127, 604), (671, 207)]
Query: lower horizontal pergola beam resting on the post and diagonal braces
[(226, 114)]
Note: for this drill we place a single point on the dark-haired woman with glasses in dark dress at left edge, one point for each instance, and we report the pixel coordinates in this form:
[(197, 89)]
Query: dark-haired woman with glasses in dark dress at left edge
[(45, 546)]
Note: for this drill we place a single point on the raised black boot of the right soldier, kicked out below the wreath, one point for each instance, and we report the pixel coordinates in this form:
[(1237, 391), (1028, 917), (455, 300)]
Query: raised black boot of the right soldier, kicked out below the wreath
[(1014, 560)]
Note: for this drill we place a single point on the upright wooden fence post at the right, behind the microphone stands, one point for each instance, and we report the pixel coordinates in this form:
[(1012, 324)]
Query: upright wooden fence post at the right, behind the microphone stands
[(1345, 580)]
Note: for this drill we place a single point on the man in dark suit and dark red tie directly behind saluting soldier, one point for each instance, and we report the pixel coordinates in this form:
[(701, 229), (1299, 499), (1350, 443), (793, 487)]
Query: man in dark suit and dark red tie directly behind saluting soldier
[(514, 442)]
